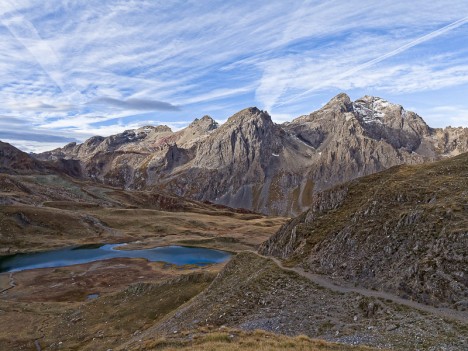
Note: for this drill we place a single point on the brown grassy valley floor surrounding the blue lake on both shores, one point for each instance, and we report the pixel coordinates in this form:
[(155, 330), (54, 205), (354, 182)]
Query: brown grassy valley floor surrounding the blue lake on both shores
[(43, 209)]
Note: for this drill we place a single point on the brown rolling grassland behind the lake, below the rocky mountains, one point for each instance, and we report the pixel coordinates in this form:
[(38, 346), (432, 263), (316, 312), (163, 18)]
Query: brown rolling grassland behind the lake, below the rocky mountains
[(43, 208)]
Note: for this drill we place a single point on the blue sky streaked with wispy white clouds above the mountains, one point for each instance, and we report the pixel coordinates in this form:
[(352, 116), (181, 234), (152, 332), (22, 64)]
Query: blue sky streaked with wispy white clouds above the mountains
[(73, 69)]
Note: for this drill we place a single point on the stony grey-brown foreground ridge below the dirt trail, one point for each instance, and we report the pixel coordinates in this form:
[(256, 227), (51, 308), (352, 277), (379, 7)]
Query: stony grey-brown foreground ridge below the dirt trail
[(254, 293)]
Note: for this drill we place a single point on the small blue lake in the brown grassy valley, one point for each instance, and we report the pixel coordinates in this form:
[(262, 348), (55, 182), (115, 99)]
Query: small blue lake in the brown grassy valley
[(178, 255)]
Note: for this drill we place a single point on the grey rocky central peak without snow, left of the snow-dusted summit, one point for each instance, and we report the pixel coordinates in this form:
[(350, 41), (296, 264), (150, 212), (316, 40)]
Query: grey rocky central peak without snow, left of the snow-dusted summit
[(239, 165)]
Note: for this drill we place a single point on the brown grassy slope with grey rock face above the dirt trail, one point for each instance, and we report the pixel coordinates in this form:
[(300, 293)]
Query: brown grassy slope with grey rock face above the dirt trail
[(403, 231)]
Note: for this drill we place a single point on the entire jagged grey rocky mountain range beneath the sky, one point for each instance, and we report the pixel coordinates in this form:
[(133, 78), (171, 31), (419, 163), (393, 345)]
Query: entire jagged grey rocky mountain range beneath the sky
[(253, 163)]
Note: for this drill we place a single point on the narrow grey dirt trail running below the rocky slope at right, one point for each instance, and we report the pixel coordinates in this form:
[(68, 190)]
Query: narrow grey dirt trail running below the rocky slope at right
[(327, 283)]
